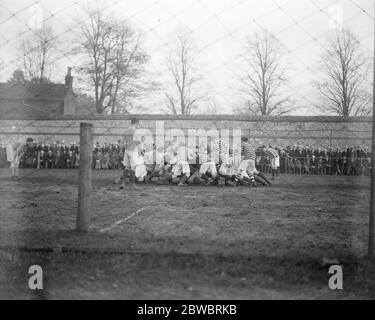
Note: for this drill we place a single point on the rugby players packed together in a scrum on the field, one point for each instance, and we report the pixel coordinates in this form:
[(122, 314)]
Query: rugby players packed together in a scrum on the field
[(211, 163)]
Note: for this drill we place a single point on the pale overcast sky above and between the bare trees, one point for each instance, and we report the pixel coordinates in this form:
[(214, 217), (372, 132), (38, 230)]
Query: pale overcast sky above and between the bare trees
[(218, 28)]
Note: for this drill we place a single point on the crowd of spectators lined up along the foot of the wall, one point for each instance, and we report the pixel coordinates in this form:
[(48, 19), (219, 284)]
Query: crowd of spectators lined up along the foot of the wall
[(293, 159)]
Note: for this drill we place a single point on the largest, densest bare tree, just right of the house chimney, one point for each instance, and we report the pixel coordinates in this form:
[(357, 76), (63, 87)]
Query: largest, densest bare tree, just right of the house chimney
[(114, 61)]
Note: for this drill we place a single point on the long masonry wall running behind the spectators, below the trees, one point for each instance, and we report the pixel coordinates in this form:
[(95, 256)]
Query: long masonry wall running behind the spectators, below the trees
[(277, 131)]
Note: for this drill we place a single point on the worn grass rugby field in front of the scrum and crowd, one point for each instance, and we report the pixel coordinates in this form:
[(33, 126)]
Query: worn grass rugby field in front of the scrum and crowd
[(185, 243)]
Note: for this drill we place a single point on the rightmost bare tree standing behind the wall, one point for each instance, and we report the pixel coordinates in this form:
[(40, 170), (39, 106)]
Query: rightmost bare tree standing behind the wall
[(344, 71)]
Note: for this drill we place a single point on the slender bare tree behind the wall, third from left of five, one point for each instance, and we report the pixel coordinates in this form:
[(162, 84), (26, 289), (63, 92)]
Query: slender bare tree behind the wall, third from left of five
[(185, 92)]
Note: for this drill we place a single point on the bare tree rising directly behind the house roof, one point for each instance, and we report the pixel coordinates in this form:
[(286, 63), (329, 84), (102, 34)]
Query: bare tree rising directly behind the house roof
[(39, 53)]
